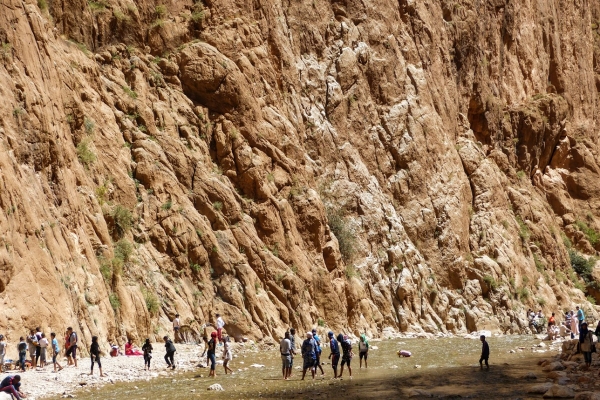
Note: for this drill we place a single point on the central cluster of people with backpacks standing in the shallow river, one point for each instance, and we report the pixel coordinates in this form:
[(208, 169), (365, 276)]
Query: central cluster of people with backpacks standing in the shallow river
[(311, 350)]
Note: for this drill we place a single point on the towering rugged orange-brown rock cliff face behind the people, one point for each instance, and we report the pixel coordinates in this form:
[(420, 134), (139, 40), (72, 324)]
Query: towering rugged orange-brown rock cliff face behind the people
[(357, 164)]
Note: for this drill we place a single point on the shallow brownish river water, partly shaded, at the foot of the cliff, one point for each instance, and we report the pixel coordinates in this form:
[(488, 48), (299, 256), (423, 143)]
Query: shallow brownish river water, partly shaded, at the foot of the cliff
[(449, 368)]
